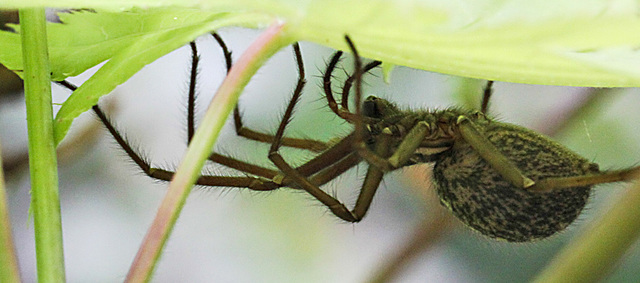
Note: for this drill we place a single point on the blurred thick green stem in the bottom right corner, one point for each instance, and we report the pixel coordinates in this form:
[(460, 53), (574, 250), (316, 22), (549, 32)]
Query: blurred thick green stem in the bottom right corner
[(600, 247)]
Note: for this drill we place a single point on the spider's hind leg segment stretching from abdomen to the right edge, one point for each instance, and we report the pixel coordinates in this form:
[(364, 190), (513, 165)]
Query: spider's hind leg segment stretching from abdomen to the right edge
[(586, 180)]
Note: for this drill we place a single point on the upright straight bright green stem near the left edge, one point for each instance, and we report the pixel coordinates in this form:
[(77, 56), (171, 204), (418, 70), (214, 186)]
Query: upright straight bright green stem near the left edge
[(42, 154)]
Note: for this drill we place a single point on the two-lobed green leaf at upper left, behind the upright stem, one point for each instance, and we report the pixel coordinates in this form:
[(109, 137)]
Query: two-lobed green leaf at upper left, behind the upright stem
[(129, 40)]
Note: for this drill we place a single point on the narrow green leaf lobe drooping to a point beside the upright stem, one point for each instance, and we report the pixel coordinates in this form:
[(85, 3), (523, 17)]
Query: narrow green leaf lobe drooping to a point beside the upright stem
[(150, 44)]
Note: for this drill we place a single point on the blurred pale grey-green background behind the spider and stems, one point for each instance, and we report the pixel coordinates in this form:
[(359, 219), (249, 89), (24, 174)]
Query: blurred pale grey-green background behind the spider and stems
[(231, 235)]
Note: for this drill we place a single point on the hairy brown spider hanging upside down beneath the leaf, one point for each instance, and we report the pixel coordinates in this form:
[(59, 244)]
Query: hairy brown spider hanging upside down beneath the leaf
[(502, 180)]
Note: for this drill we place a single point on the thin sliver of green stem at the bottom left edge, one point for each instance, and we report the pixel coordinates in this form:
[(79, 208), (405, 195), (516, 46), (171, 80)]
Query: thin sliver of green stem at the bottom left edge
[(9, 271)]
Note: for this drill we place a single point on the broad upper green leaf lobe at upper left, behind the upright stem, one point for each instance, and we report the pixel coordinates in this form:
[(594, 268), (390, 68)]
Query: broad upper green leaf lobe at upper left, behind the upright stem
[(86, 39)]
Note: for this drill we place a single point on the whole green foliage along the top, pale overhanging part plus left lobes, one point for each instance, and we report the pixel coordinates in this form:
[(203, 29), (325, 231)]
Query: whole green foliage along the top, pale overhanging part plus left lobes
[(564, 42)]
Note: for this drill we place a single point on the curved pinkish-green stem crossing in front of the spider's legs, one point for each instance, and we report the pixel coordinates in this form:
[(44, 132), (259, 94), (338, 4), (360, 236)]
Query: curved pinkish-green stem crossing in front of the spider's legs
[(272, 40)]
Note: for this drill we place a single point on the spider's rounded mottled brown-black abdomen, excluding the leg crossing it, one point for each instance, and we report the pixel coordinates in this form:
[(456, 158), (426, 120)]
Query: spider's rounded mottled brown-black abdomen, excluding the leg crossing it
[(479, 196)]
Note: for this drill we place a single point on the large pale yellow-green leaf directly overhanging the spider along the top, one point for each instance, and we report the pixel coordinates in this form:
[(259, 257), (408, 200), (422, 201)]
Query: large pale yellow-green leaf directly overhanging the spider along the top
[(564, 42)]
